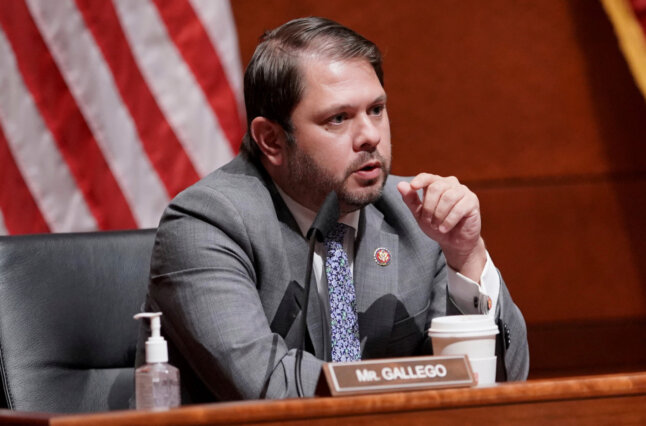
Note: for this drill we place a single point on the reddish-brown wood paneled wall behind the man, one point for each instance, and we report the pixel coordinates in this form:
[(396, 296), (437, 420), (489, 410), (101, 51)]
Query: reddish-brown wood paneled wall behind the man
[(531, 104)]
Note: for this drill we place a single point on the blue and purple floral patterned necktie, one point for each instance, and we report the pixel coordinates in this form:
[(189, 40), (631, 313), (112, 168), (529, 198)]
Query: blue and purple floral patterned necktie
[(344, 324)]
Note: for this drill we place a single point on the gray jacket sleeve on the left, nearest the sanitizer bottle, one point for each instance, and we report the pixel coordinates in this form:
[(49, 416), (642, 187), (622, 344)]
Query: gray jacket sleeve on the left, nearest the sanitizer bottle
[(204, 280)]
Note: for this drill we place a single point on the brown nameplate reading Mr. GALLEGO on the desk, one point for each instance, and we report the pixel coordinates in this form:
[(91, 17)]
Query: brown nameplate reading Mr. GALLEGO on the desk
[(394, 375)]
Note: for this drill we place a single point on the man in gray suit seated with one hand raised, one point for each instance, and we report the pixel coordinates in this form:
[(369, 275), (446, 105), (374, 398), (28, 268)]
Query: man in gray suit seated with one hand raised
[(230, 255)]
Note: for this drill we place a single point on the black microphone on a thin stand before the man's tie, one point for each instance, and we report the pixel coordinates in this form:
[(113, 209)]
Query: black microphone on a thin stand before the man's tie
[(325, 219)]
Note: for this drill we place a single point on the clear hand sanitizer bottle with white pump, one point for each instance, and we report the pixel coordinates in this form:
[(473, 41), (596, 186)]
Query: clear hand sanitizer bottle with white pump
[(156, 382)]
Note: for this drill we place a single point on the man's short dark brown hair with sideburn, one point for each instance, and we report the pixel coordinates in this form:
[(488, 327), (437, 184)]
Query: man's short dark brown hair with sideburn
[(273, 82)]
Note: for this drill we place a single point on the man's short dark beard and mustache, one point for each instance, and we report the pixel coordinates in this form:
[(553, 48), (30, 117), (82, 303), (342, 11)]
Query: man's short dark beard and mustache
[(313, 183)]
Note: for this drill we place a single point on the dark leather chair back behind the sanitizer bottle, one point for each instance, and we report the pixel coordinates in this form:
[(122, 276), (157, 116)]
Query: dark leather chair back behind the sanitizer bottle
[(67, 336)]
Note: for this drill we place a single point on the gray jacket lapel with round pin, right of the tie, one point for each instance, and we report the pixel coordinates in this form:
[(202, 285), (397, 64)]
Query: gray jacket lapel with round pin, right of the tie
[(375, 285)]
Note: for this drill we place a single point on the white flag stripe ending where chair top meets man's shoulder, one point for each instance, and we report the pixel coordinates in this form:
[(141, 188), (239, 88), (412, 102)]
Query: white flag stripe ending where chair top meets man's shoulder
[(107, 116)]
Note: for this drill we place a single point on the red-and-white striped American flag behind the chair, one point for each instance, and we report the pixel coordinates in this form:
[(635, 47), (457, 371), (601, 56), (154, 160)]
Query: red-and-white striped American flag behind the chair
[(108, 108)]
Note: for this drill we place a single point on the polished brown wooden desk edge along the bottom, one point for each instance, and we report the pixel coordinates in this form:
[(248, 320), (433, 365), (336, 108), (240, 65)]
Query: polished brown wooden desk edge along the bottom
[(594, 400)]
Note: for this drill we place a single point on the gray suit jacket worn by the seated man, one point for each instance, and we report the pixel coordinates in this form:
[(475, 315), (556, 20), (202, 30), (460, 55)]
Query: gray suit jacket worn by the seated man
[(227, 272)]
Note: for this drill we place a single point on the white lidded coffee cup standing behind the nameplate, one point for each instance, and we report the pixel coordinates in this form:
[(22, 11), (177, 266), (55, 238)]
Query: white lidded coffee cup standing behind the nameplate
[(472, 335)]
